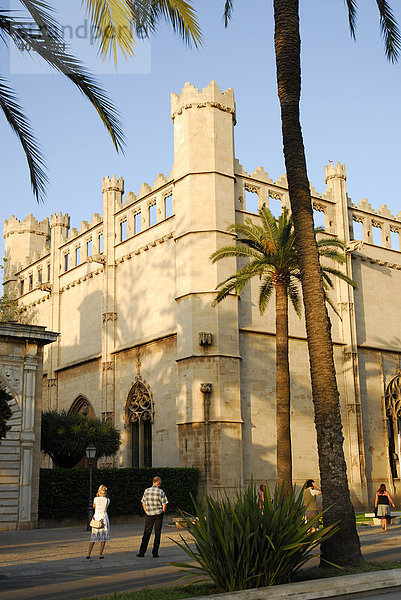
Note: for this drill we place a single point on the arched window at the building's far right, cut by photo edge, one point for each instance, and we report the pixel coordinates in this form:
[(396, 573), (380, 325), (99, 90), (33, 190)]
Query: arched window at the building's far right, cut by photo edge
[(393, 413)]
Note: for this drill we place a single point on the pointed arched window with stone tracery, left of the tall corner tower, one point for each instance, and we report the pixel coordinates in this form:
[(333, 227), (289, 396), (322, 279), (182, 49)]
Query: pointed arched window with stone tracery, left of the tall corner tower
[(139, 415)]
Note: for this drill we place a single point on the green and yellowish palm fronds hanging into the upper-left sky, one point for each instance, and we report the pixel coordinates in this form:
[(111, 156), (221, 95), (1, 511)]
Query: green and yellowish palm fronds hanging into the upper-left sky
[(35, 30)]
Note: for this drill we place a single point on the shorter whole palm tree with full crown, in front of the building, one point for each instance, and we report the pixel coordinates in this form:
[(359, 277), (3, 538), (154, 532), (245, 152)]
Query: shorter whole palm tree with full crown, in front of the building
[(272, 257)]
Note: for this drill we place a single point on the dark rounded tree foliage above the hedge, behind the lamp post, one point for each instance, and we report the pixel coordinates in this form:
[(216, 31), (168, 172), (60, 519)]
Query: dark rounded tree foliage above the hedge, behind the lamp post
[(65, 437)]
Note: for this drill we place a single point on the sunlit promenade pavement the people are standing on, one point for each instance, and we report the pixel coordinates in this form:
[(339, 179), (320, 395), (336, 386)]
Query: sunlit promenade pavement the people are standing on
[(51, 563)]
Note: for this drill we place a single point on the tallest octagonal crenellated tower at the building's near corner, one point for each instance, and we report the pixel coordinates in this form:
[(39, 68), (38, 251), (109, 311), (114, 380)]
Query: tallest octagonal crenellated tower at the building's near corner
[(208, 361)]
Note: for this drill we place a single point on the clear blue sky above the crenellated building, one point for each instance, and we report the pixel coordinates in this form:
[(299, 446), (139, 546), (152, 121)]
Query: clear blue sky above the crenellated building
[(350, 107)]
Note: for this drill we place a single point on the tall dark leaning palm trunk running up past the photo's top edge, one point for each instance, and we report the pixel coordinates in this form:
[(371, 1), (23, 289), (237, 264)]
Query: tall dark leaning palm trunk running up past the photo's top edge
[(344, 547)]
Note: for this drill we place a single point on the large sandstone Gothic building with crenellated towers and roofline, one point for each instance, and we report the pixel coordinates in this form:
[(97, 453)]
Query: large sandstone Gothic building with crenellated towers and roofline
[(130, 293)]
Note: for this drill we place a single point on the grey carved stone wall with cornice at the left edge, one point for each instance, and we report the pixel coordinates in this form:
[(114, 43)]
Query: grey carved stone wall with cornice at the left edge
[(21, 372)]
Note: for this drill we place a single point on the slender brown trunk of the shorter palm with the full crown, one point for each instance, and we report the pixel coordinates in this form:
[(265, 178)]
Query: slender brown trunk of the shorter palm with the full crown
[(284, 459)]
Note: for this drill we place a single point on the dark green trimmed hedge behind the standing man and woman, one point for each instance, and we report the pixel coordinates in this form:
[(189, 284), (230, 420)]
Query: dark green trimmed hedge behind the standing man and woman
[(63, 493)]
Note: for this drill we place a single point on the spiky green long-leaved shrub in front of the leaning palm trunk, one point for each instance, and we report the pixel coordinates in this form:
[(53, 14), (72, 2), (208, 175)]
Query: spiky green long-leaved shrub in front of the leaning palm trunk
[(241, 546)]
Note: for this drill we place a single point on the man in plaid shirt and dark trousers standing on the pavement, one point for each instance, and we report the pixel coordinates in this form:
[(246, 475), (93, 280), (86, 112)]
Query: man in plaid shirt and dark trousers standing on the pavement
[(154, 502)]
